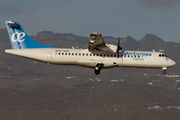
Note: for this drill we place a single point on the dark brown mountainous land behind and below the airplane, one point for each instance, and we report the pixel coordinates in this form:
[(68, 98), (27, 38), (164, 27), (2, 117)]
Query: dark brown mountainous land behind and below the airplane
[(33, 90)]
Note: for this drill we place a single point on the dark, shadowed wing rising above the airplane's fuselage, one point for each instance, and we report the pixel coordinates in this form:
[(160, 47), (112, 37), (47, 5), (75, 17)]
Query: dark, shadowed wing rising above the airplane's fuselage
[(96, 42)]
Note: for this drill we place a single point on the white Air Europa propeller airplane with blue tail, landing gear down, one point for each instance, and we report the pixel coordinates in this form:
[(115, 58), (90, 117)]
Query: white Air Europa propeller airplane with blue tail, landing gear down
[(98, 55)]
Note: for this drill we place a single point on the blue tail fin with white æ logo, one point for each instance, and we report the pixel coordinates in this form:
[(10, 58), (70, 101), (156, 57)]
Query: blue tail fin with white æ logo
[(19, 39)]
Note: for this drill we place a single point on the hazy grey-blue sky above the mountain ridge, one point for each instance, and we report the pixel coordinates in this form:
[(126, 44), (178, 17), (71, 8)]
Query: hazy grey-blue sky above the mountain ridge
[(117, 18)]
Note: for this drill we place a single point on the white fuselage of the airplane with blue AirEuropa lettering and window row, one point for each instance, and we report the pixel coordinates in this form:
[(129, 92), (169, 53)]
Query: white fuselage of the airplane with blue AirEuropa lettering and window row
[(83, 57)]
